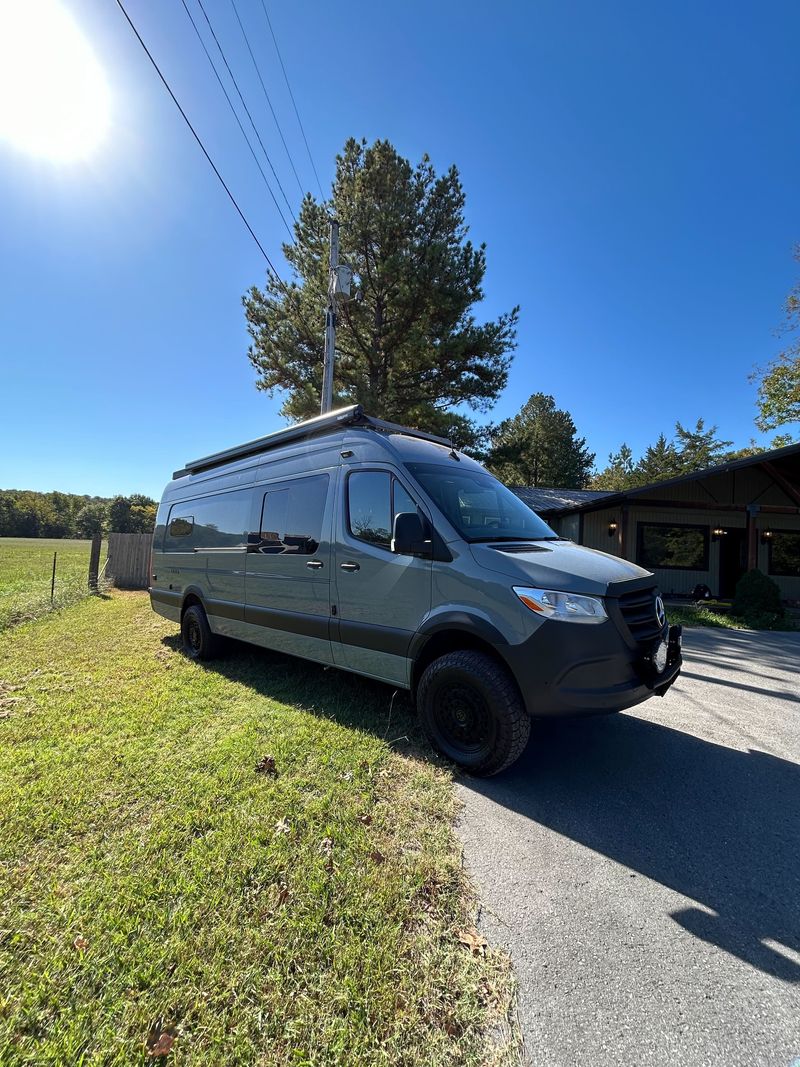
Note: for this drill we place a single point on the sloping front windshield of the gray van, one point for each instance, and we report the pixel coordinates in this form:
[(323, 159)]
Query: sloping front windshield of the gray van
[(479, 506)]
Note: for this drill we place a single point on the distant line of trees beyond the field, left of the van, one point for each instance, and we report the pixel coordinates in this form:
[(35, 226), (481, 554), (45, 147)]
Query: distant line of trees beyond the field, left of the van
[(27, 514)]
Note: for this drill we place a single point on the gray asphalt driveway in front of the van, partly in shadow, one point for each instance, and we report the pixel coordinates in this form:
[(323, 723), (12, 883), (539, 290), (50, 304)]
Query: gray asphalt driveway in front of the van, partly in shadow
[(644, 870)]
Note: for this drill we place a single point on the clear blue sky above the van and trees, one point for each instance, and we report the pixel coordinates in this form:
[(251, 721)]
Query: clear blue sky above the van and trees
[(632, 168)]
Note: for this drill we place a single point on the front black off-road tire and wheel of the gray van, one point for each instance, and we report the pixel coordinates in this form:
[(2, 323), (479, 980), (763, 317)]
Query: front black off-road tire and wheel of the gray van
[(472, 711)]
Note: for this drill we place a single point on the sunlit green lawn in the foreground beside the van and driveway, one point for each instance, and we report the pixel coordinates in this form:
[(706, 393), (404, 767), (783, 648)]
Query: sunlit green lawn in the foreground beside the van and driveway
[(153, 883)]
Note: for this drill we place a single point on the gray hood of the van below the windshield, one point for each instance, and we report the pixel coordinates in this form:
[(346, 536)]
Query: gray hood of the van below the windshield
[(557, 565)]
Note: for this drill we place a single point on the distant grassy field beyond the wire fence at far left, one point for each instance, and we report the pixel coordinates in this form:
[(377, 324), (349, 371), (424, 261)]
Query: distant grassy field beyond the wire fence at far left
[(26, 569)]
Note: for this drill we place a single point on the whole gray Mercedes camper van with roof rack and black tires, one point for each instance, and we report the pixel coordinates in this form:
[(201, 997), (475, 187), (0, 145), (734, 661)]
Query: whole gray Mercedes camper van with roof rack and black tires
[(385, 551)]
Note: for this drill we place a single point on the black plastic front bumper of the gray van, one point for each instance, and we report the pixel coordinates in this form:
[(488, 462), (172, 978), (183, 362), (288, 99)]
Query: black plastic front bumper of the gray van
[(567, 670)]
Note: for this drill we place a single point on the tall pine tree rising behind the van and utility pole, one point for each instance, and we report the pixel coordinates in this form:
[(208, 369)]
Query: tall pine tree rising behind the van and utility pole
[(409, 346)]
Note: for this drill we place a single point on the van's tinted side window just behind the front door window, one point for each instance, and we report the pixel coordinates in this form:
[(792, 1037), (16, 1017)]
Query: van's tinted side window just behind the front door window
[(292, 517)]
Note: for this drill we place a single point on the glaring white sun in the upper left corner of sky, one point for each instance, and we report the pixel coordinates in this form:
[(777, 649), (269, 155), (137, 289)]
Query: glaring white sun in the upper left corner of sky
[(55, 100)]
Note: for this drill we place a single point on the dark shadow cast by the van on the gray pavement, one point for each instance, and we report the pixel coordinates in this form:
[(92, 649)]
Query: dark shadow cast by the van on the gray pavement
[(715, 824)]
